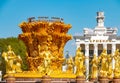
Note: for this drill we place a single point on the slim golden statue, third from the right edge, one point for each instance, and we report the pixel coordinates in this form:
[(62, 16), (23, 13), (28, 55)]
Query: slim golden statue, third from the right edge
[(94, 68)]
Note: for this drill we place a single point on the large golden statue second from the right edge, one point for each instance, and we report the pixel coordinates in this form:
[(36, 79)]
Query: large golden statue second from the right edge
[(103, 65)]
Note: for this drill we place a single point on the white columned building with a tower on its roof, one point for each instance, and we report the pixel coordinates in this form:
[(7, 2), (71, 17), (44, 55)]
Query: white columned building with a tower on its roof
[(95, 40)]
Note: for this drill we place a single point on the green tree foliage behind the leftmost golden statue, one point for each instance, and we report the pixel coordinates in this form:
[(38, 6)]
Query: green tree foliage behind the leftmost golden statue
[(17, 46)]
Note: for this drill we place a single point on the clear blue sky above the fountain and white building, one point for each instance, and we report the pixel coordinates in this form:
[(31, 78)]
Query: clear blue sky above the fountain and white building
[(78, 13)]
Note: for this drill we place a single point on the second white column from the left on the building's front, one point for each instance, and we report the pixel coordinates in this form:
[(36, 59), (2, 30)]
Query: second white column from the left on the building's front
[(87, 60)]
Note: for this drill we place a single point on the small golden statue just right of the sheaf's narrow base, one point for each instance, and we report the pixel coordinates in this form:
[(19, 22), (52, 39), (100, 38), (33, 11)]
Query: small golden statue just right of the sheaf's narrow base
[(70, 64)]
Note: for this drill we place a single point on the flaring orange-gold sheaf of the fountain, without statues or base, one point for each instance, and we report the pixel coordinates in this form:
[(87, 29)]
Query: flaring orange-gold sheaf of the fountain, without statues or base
[(42, 34)]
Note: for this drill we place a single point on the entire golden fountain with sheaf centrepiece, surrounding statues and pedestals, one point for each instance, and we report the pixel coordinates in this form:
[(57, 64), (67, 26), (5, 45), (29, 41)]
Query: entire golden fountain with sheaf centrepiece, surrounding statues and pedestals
[(45, 40)]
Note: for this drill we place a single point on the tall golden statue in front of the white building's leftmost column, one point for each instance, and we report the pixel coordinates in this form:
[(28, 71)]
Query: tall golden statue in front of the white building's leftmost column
[(79, 62)]
